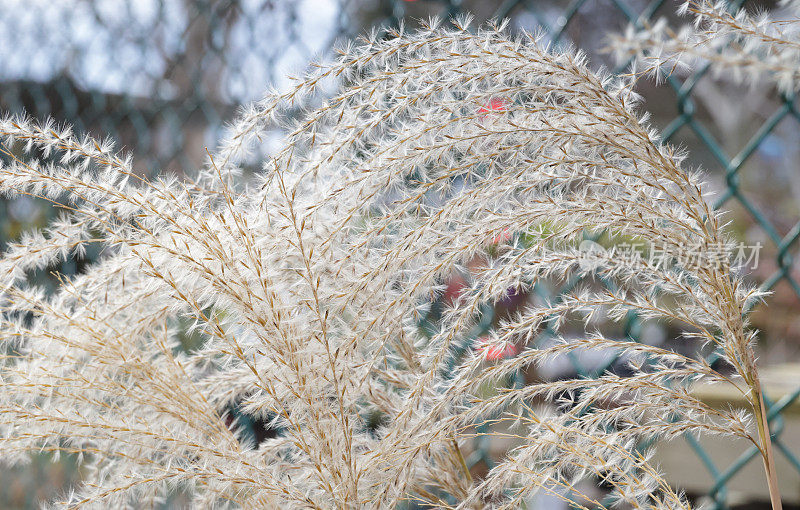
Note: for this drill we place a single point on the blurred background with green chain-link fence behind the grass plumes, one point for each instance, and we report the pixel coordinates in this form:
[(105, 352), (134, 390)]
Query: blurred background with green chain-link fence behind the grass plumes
[(162, 77)]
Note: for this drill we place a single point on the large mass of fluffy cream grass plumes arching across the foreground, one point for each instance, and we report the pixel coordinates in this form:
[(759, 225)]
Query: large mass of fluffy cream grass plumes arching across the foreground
[(308, 286)]
